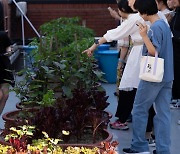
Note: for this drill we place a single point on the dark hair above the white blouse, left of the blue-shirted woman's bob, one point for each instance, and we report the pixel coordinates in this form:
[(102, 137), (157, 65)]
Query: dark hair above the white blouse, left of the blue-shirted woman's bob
[(124, 7)]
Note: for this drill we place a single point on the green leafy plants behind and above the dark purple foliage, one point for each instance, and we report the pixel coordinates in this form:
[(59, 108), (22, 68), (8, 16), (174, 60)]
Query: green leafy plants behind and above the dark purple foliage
[(58, 58)]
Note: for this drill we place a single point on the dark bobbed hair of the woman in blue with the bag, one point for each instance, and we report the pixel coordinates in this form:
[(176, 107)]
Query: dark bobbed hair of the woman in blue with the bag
[(148, 7)]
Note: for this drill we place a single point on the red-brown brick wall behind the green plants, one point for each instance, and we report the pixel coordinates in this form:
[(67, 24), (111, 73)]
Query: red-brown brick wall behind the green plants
[(95, 16)]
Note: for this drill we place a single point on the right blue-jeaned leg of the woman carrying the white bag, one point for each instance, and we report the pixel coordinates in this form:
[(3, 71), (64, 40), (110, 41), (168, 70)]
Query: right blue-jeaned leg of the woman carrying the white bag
[(162, 120)]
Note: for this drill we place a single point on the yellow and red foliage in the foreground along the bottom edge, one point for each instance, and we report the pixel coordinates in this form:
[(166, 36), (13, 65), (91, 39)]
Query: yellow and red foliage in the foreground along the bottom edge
[(17, 143)]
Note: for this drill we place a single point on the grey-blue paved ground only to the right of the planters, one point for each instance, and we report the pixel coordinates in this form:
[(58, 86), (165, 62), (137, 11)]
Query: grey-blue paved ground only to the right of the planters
[(124, 137)]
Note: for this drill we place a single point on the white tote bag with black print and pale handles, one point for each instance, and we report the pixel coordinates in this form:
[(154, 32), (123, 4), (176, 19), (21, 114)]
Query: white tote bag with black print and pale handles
[(151, 68)]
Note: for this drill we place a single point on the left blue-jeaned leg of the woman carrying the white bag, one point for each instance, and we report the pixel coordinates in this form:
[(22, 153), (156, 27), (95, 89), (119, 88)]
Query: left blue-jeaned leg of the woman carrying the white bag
[(145, 96)]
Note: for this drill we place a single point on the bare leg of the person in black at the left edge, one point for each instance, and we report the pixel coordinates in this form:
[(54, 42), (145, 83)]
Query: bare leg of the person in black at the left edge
[(4, 94)]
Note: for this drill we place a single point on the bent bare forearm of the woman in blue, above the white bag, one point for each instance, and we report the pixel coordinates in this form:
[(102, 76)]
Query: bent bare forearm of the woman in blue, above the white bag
[(143, 32)]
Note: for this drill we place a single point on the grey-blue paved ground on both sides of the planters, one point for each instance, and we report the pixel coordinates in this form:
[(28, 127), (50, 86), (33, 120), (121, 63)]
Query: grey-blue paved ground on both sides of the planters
[(123, 137)]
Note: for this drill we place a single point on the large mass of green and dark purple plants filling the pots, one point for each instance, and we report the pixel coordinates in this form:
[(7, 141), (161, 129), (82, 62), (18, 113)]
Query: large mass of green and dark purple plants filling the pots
[(62, 86)]
